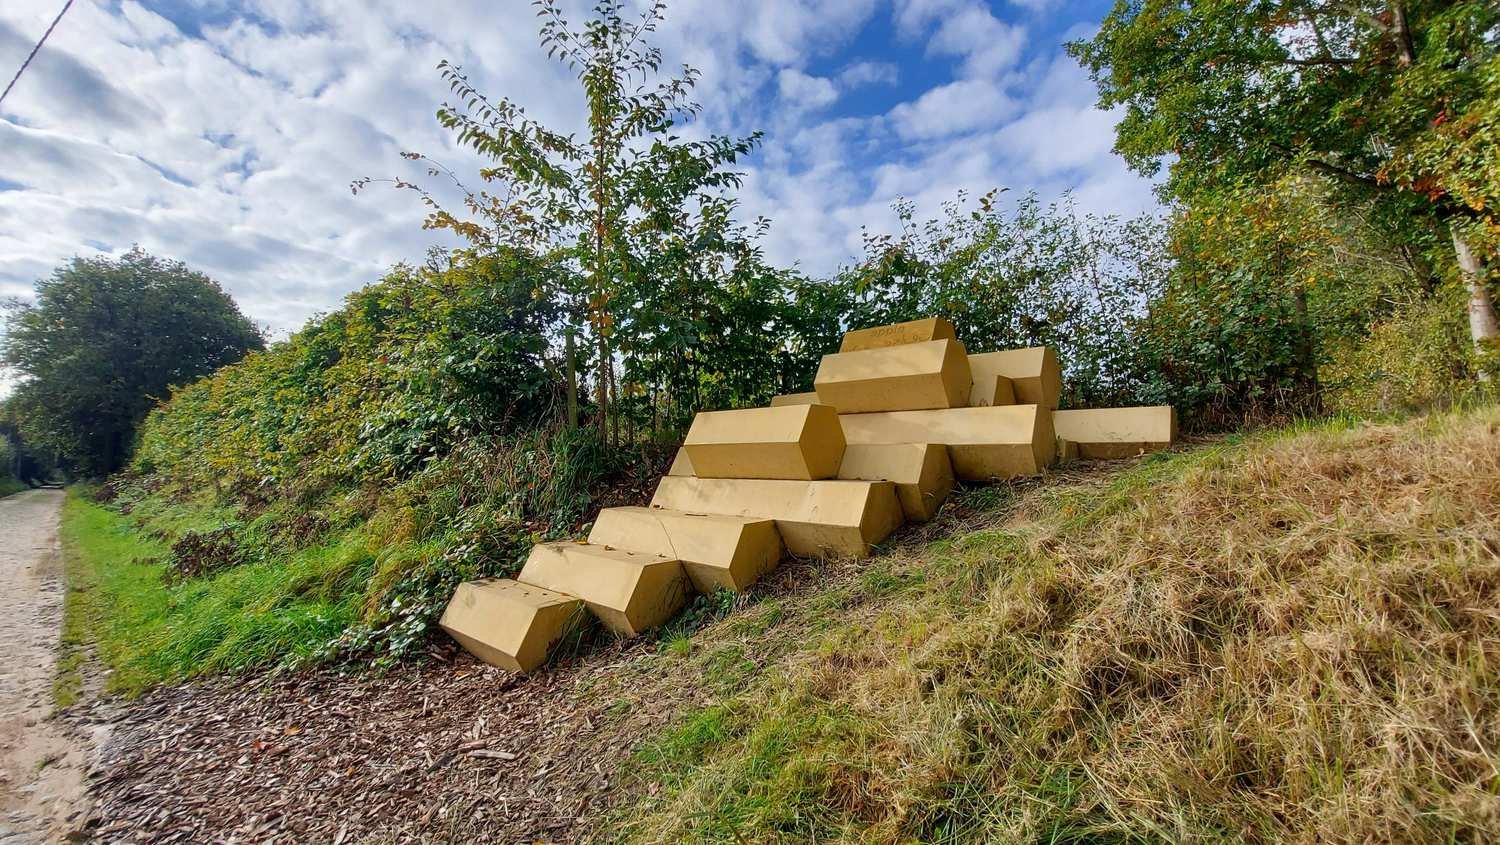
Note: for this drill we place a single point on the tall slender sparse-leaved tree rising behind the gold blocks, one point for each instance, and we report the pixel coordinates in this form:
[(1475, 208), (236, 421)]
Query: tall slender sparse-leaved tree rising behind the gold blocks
[(592, 205)]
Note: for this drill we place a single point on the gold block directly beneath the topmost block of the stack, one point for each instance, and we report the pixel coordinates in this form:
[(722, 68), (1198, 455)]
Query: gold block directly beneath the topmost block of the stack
[(896, 379)]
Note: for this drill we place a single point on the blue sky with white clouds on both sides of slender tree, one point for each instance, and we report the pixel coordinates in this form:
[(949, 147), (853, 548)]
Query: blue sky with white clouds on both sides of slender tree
[(227, 133)]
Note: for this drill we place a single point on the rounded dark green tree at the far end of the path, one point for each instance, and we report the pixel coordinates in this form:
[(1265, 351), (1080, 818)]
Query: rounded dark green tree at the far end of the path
[(104, 341)]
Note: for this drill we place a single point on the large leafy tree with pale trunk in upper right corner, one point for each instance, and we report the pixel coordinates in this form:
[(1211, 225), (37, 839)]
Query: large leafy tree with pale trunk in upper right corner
[(1240, 95)]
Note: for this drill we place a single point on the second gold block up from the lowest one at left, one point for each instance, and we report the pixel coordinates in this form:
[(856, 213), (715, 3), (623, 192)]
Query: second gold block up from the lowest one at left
[(629, 592)]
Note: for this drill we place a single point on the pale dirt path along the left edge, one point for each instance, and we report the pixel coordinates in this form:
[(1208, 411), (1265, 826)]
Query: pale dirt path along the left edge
[(43, 760)]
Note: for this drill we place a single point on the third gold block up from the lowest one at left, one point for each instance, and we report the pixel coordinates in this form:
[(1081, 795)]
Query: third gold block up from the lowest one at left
[(718, 552)]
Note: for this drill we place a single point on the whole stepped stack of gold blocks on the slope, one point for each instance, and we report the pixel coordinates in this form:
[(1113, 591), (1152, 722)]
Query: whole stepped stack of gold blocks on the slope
[(895, 418)]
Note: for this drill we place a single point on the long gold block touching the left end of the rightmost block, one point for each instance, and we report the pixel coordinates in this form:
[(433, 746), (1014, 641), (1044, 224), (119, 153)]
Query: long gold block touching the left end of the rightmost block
[(1001, 442)]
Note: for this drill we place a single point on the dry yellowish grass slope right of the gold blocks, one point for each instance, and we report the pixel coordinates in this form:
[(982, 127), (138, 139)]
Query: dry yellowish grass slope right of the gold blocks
[(1291, 639)]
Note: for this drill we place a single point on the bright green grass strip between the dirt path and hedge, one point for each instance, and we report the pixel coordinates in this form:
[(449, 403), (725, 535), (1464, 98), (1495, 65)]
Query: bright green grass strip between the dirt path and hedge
[(151, 633)]
